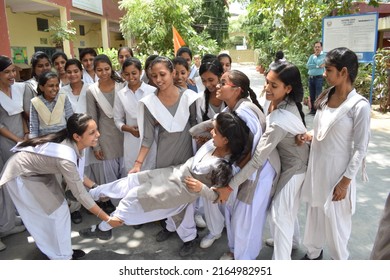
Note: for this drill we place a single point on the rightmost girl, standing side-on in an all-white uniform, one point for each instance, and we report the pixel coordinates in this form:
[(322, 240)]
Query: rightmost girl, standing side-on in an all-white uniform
[(341, 132)]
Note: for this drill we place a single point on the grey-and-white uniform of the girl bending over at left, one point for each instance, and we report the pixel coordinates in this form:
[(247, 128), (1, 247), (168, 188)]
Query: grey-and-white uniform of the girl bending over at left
[(30, 178)]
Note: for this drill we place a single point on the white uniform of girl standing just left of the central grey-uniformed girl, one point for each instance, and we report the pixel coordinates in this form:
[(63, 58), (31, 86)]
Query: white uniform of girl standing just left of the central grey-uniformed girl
[(125, 112)]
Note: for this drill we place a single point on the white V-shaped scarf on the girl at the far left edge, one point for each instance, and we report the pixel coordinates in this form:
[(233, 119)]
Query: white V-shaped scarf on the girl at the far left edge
[(13, 105)]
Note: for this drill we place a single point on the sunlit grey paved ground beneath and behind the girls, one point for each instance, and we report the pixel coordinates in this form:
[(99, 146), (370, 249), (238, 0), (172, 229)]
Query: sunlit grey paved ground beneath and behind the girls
[(130, 244)]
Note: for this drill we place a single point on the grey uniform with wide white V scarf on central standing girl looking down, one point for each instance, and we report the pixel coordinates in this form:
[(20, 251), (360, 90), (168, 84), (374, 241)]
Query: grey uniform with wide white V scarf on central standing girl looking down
[(168, 127)]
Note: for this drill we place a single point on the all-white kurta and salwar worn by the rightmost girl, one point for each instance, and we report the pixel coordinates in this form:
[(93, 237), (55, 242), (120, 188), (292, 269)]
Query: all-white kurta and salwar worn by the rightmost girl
[(339, 145)]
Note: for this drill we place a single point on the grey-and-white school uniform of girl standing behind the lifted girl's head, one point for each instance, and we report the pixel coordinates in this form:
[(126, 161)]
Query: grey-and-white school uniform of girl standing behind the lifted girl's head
[(246, 215)]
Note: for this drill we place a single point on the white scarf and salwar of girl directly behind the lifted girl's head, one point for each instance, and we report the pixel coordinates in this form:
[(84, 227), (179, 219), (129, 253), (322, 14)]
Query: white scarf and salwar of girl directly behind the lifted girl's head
[(245, 222)]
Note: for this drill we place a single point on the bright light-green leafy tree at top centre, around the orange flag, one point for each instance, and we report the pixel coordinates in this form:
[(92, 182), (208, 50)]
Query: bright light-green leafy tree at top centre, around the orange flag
[(150, 23)]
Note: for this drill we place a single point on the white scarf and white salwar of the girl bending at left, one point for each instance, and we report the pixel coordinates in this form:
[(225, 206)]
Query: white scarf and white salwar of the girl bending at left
[(51, 231)]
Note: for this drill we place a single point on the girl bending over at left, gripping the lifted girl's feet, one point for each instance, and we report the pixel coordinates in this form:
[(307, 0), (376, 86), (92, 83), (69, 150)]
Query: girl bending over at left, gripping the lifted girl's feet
[(29, 176)]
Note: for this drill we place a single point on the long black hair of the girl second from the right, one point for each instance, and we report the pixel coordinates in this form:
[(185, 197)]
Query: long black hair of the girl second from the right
[(289, 74)]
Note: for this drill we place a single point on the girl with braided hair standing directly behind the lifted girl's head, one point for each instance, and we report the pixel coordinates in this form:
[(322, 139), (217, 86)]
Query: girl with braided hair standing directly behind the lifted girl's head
[(246, 209)]
